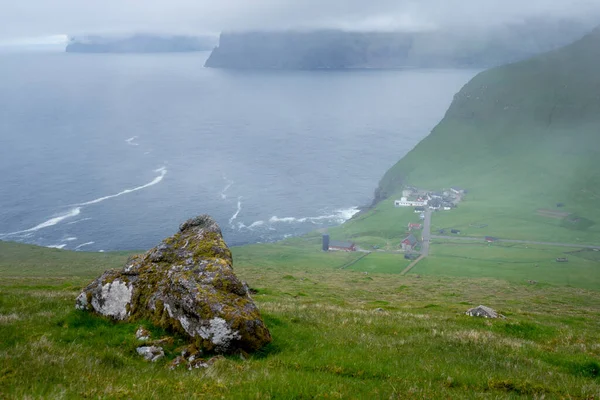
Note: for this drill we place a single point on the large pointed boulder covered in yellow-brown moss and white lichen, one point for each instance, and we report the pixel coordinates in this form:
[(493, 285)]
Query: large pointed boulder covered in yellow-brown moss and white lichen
[(187, 285)]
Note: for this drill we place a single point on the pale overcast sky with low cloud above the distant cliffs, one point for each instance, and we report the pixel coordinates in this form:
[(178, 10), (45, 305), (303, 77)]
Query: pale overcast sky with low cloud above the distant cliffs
[(39, 18)]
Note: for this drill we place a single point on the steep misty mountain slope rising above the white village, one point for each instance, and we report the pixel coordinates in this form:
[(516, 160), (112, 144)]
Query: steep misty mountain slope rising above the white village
[(528, 126)]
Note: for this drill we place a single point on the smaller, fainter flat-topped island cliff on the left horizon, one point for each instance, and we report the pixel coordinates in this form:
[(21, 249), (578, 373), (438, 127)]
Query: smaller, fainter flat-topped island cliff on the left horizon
[(139, 44)]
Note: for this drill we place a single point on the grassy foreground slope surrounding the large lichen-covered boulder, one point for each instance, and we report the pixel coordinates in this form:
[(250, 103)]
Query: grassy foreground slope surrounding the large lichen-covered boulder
[(337, 334)]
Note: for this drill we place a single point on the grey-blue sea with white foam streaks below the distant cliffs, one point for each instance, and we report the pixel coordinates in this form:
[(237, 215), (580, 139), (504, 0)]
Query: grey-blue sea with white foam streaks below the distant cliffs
[(113, 152)]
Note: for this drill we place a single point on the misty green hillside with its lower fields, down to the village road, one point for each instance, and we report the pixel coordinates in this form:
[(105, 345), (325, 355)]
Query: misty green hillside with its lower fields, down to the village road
[(520, 138)]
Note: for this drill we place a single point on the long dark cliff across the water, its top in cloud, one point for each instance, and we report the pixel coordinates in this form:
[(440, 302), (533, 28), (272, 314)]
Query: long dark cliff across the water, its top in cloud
[(457, 48)]
